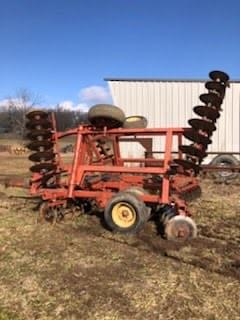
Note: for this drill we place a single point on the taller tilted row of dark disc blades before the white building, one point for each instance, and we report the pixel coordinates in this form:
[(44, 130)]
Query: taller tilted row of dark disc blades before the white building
[(202, 128)]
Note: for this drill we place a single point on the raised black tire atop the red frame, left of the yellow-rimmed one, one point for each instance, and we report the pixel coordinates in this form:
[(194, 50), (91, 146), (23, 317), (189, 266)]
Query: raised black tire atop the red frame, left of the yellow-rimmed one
[(106, 115)]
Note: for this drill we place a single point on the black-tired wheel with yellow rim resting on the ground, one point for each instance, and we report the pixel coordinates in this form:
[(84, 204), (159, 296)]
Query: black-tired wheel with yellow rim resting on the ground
[(121, 224)]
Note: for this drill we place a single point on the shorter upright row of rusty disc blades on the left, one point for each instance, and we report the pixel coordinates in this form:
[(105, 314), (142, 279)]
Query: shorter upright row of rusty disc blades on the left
[(40, 132)]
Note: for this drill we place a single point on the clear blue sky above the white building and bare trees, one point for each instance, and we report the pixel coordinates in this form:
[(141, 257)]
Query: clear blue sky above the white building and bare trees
[(60, 48)]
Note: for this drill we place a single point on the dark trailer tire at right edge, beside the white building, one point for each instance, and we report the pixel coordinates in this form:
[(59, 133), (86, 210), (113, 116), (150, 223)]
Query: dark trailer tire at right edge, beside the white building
[(225, 160)]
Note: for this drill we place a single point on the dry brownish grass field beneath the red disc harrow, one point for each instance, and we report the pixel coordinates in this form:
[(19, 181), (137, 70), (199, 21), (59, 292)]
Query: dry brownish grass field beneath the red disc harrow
[(78, 270)]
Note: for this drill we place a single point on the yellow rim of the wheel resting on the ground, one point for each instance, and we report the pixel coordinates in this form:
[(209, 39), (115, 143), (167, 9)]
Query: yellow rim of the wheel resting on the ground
[(124, 215)]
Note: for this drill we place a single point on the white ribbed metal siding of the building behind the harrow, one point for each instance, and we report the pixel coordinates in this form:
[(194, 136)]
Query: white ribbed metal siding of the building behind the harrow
[(170, 104)]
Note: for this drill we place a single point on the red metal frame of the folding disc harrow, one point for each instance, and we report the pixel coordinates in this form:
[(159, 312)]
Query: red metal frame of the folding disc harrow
[(88, 161)]
